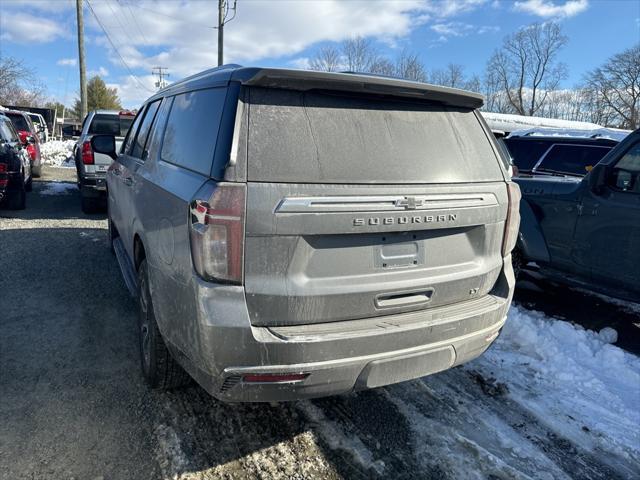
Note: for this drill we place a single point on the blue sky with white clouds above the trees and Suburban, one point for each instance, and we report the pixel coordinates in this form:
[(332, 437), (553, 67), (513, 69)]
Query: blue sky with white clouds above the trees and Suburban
[(177, 34)]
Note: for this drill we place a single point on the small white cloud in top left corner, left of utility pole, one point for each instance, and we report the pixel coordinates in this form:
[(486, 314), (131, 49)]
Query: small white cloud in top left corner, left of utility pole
[(25, 28)]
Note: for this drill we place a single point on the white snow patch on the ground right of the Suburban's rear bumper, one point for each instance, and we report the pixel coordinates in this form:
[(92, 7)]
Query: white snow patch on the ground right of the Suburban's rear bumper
[(571, 379)]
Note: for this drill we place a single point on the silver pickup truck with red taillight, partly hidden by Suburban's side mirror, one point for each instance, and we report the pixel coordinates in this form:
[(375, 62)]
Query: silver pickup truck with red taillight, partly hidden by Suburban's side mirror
[(91, 167)]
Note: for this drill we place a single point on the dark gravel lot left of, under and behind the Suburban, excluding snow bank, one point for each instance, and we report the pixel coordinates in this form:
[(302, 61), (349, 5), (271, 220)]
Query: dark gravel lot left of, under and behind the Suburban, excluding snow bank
[(73, 403)]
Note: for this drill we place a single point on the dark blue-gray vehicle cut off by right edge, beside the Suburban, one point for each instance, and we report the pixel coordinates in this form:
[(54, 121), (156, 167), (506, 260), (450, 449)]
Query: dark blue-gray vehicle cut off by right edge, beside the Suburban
[(586, 230)]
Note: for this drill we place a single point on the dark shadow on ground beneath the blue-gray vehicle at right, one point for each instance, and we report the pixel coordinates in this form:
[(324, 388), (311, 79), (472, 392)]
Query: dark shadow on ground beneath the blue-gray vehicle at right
[(591, 311)]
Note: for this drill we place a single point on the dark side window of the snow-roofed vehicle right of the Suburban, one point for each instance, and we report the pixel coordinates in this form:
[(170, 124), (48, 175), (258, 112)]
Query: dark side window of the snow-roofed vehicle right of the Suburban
[(572, 159)]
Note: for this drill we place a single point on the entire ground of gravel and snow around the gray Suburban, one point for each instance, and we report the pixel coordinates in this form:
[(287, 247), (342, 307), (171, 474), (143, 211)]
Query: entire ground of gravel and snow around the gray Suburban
[(550, 399)]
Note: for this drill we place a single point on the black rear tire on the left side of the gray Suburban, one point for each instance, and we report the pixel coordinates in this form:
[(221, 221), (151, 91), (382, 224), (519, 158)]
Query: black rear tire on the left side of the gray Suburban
[(159, 368)]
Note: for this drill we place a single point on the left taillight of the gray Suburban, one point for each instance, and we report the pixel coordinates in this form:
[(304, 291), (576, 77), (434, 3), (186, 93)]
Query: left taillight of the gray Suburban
[(217, 234)]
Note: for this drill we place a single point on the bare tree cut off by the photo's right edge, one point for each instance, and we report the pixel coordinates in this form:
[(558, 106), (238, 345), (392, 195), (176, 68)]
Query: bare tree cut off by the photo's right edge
[(617, 85)]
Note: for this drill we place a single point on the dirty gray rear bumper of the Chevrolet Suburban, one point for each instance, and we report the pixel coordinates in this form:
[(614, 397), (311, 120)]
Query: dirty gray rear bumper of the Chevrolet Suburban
[(338, 357)]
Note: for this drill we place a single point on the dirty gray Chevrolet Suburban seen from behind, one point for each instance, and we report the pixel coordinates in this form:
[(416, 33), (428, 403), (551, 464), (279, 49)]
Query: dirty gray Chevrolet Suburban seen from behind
[(292, 234)]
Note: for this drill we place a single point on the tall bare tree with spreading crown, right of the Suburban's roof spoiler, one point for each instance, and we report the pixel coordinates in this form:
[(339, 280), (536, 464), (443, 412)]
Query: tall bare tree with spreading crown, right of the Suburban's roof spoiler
[(525, 67)]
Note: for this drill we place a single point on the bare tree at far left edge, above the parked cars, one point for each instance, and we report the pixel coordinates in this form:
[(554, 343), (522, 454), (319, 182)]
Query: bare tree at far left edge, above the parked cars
[(18, 85)]
